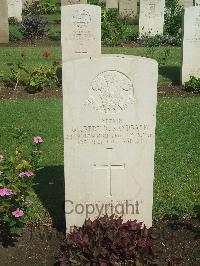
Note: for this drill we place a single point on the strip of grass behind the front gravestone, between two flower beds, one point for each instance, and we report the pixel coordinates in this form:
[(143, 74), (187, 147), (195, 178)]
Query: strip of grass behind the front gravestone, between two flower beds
[(169, 73)]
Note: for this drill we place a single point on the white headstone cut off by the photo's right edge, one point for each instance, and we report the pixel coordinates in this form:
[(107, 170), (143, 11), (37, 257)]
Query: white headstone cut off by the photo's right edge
[(191, 44)]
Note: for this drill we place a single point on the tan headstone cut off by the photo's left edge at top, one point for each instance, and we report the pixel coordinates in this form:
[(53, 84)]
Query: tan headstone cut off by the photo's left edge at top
[(4, 28)]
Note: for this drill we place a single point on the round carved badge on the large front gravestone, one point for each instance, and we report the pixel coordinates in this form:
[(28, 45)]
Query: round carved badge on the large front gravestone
[(110, 92)]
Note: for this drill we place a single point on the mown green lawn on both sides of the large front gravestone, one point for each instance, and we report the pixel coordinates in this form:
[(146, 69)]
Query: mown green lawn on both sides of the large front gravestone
[(177, 168)]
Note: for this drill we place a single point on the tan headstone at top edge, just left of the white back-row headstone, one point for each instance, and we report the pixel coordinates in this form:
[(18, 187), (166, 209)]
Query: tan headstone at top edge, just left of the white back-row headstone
[(128, 8)]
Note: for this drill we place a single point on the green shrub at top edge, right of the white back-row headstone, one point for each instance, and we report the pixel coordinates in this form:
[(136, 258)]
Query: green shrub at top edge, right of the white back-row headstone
[(173, 18)]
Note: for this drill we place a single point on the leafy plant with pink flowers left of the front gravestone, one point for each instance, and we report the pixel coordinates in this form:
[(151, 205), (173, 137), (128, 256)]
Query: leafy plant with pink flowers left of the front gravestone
[(16, 181)]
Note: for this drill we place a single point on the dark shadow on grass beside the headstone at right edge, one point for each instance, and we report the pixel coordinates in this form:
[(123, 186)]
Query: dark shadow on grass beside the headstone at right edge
[(171, 72)]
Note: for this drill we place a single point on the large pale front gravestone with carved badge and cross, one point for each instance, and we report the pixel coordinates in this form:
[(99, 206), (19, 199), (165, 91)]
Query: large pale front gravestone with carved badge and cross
[(109, 106)]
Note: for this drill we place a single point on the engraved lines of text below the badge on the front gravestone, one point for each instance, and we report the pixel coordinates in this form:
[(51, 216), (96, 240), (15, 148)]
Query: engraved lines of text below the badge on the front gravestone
[(110, 131)]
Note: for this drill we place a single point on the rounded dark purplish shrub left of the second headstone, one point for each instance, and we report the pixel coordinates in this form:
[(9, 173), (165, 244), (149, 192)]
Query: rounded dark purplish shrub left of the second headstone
[(34, 27)]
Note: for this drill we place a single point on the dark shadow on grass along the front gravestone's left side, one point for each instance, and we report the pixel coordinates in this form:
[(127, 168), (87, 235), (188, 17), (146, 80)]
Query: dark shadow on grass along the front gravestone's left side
[(50, 189)]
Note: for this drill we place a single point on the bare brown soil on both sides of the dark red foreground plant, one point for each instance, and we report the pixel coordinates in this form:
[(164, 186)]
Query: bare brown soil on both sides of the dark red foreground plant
[(175, 243)]
